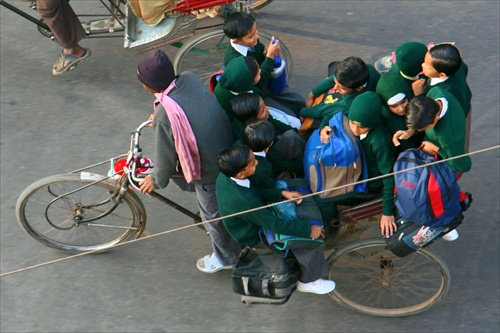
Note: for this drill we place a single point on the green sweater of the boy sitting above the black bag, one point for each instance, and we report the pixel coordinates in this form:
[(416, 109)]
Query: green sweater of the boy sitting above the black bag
[(233, 198)]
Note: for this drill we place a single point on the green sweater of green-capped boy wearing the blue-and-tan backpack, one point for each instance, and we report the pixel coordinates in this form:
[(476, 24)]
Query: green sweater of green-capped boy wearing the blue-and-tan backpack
[(380, 157)]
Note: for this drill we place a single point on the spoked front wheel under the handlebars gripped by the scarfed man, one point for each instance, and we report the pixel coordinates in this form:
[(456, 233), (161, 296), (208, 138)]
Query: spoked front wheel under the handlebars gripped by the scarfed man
[(70, 213)]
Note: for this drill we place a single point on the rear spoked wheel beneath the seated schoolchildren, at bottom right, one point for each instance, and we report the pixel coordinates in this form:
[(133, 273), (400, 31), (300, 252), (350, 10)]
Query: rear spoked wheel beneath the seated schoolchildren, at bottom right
[(372, 280)]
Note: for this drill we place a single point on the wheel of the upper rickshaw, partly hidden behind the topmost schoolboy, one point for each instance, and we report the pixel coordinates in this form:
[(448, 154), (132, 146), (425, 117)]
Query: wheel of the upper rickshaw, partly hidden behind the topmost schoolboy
[(204, 54)]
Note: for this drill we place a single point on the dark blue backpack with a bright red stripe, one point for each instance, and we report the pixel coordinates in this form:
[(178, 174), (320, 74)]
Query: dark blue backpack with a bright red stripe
[(428, 196)]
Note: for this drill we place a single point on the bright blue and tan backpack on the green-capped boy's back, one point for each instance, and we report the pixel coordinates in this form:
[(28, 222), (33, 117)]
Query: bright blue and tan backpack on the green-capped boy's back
[(339, 162)]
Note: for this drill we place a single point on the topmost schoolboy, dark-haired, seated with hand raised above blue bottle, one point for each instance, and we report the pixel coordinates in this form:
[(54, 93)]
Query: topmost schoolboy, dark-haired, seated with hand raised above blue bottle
[(241, 28)]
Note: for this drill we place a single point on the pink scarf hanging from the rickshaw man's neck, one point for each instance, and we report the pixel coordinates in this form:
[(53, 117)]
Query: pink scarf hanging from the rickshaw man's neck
[(184, 139)]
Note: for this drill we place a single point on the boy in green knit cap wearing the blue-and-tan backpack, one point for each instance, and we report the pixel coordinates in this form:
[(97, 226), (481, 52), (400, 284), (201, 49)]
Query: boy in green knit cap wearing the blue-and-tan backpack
[(365, 122)]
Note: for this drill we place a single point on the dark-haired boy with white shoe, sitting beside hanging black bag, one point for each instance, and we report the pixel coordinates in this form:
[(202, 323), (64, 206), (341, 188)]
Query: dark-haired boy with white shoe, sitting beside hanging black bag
[(236, 194)]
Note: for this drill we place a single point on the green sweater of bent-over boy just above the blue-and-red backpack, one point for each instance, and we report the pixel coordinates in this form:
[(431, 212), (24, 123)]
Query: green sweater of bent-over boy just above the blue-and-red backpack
[(449, 132)]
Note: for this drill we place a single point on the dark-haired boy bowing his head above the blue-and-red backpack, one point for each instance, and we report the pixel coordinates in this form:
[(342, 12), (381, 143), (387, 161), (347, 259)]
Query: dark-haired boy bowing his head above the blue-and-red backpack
[(441, 117)]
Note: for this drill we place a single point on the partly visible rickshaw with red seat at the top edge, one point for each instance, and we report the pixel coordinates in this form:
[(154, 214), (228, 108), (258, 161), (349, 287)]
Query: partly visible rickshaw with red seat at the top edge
[(201, 54)]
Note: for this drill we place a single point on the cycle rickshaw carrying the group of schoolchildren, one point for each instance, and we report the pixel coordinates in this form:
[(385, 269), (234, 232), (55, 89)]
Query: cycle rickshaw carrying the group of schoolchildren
[(83, 211)]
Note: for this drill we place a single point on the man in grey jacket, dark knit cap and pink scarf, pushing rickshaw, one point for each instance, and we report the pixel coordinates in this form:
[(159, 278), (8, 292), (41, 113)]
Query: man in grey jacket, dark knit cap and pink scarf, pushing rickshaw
[(212, 132)]
